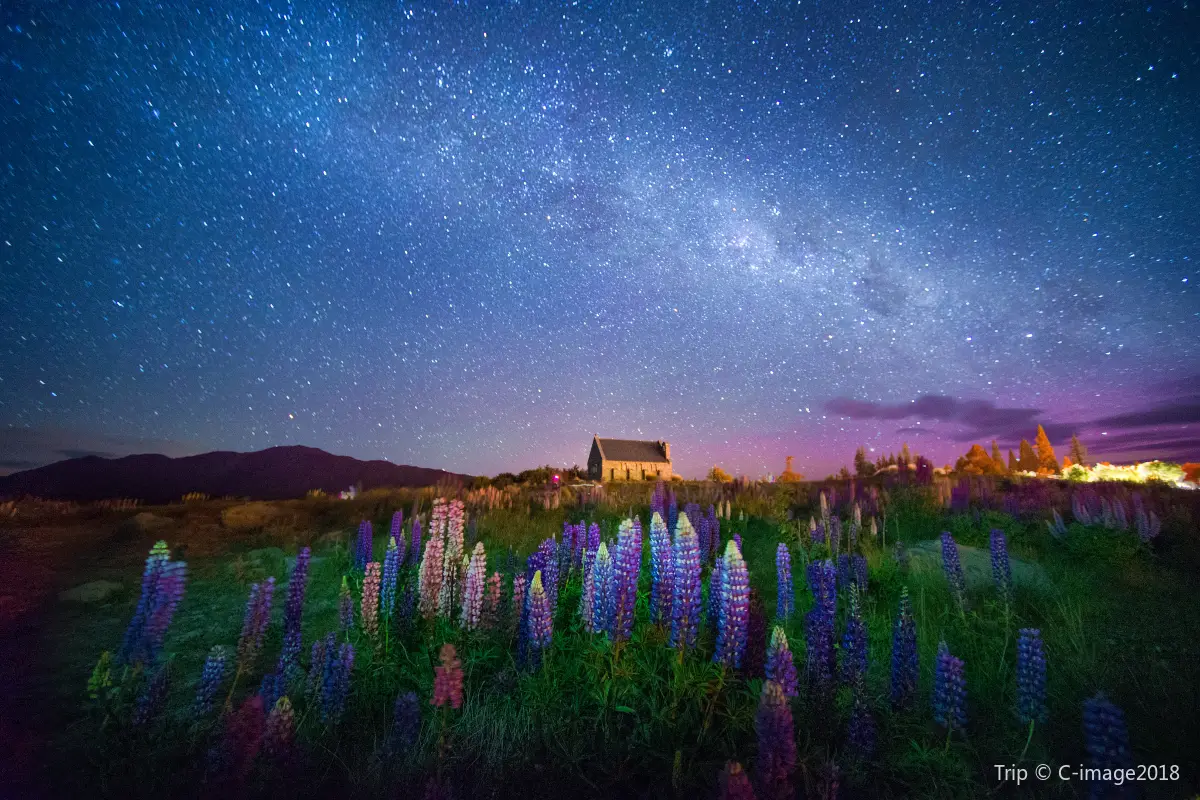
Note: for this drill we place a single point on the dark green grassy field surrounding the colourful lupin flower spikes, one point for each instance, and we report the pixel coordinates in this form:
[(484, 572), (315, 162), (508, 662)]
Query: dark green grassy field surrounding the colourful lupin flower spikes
[(597, 720)]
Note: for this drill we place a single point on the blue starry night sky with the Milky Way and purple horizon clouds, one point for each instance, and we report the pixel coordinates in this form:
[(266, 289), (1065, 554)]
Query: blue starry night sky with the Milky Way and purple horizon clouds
[(470, 236)]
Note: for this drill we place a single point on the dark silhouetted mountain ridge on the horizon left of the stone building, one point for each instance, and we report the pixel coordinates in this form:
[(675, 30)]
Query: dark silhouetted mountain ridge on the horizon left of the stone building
[(274, 474)]
